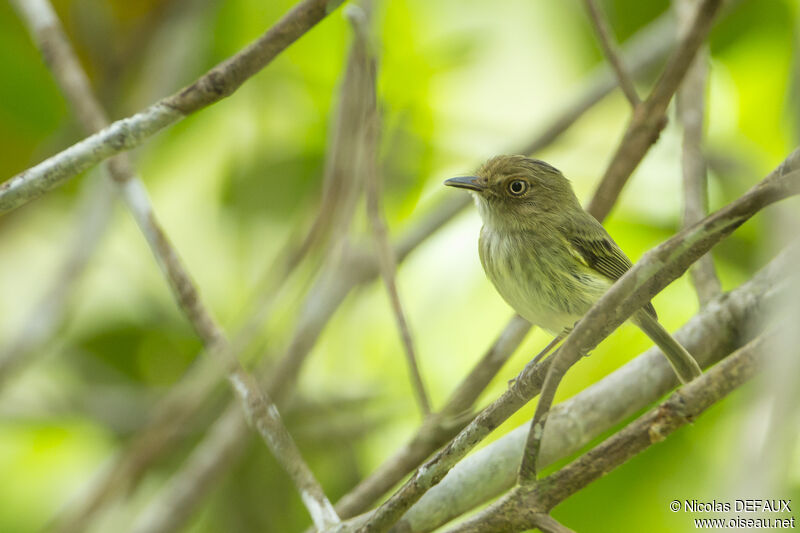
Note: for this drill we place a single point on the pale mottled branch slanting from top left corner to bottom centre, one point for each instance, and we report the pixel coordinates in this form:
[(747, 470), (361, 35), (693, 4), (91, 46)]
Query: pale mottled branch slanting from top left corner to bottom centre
[(259, 409)]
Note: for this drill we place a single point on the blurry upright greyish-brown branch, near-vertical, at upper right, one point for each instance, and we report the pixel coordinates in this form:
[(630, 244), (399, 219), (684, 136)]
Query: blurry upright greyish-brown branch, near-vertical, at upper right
[(691, 111)]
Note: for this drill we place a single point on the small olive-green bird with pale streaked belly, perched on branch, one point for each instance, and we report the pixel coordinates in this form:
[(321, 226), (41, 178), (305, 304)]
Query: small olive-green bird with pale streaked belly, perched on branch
[(546, 256)]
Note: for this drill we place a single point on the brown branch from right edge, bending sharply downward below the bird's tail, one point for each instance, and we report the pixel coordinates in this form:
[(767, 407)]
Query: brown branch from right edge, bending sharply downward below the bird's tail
[(657, 268)]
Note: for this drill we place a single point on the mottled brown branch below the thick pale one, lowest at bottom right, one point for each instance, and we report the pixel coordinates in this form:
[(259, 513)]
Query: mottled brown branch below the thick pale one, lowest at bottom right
[(519, 509)]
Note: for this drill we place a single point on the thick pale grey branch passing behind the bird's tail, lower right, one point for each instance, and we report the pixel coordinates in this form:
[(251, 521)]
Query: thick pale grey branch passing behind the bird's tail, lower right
[(719, 328)]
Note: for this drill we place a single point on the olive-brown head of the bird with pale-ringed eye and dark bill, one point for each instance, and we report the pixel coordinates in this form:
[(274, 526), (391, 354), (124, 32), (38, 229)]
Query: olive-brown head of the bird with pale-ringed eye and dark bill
[(517, 192)]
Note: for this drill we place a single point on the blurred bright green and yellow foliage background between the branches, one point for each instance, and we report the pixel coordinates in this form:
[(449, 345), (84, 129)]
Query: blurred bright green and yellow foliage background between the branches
[(459, 81)]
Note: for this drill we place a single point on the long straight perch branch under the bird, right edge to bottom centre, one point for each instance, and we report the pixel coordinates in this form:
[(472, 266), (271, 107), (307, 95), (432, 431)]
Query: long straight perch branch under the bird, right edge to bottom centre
[(650, 275)]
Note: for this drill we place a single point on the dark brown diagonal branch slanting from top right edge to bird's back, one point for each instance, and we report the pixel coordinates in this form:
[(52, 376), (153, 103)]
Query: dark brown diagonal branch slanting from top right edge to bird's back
[(648, 118)]
